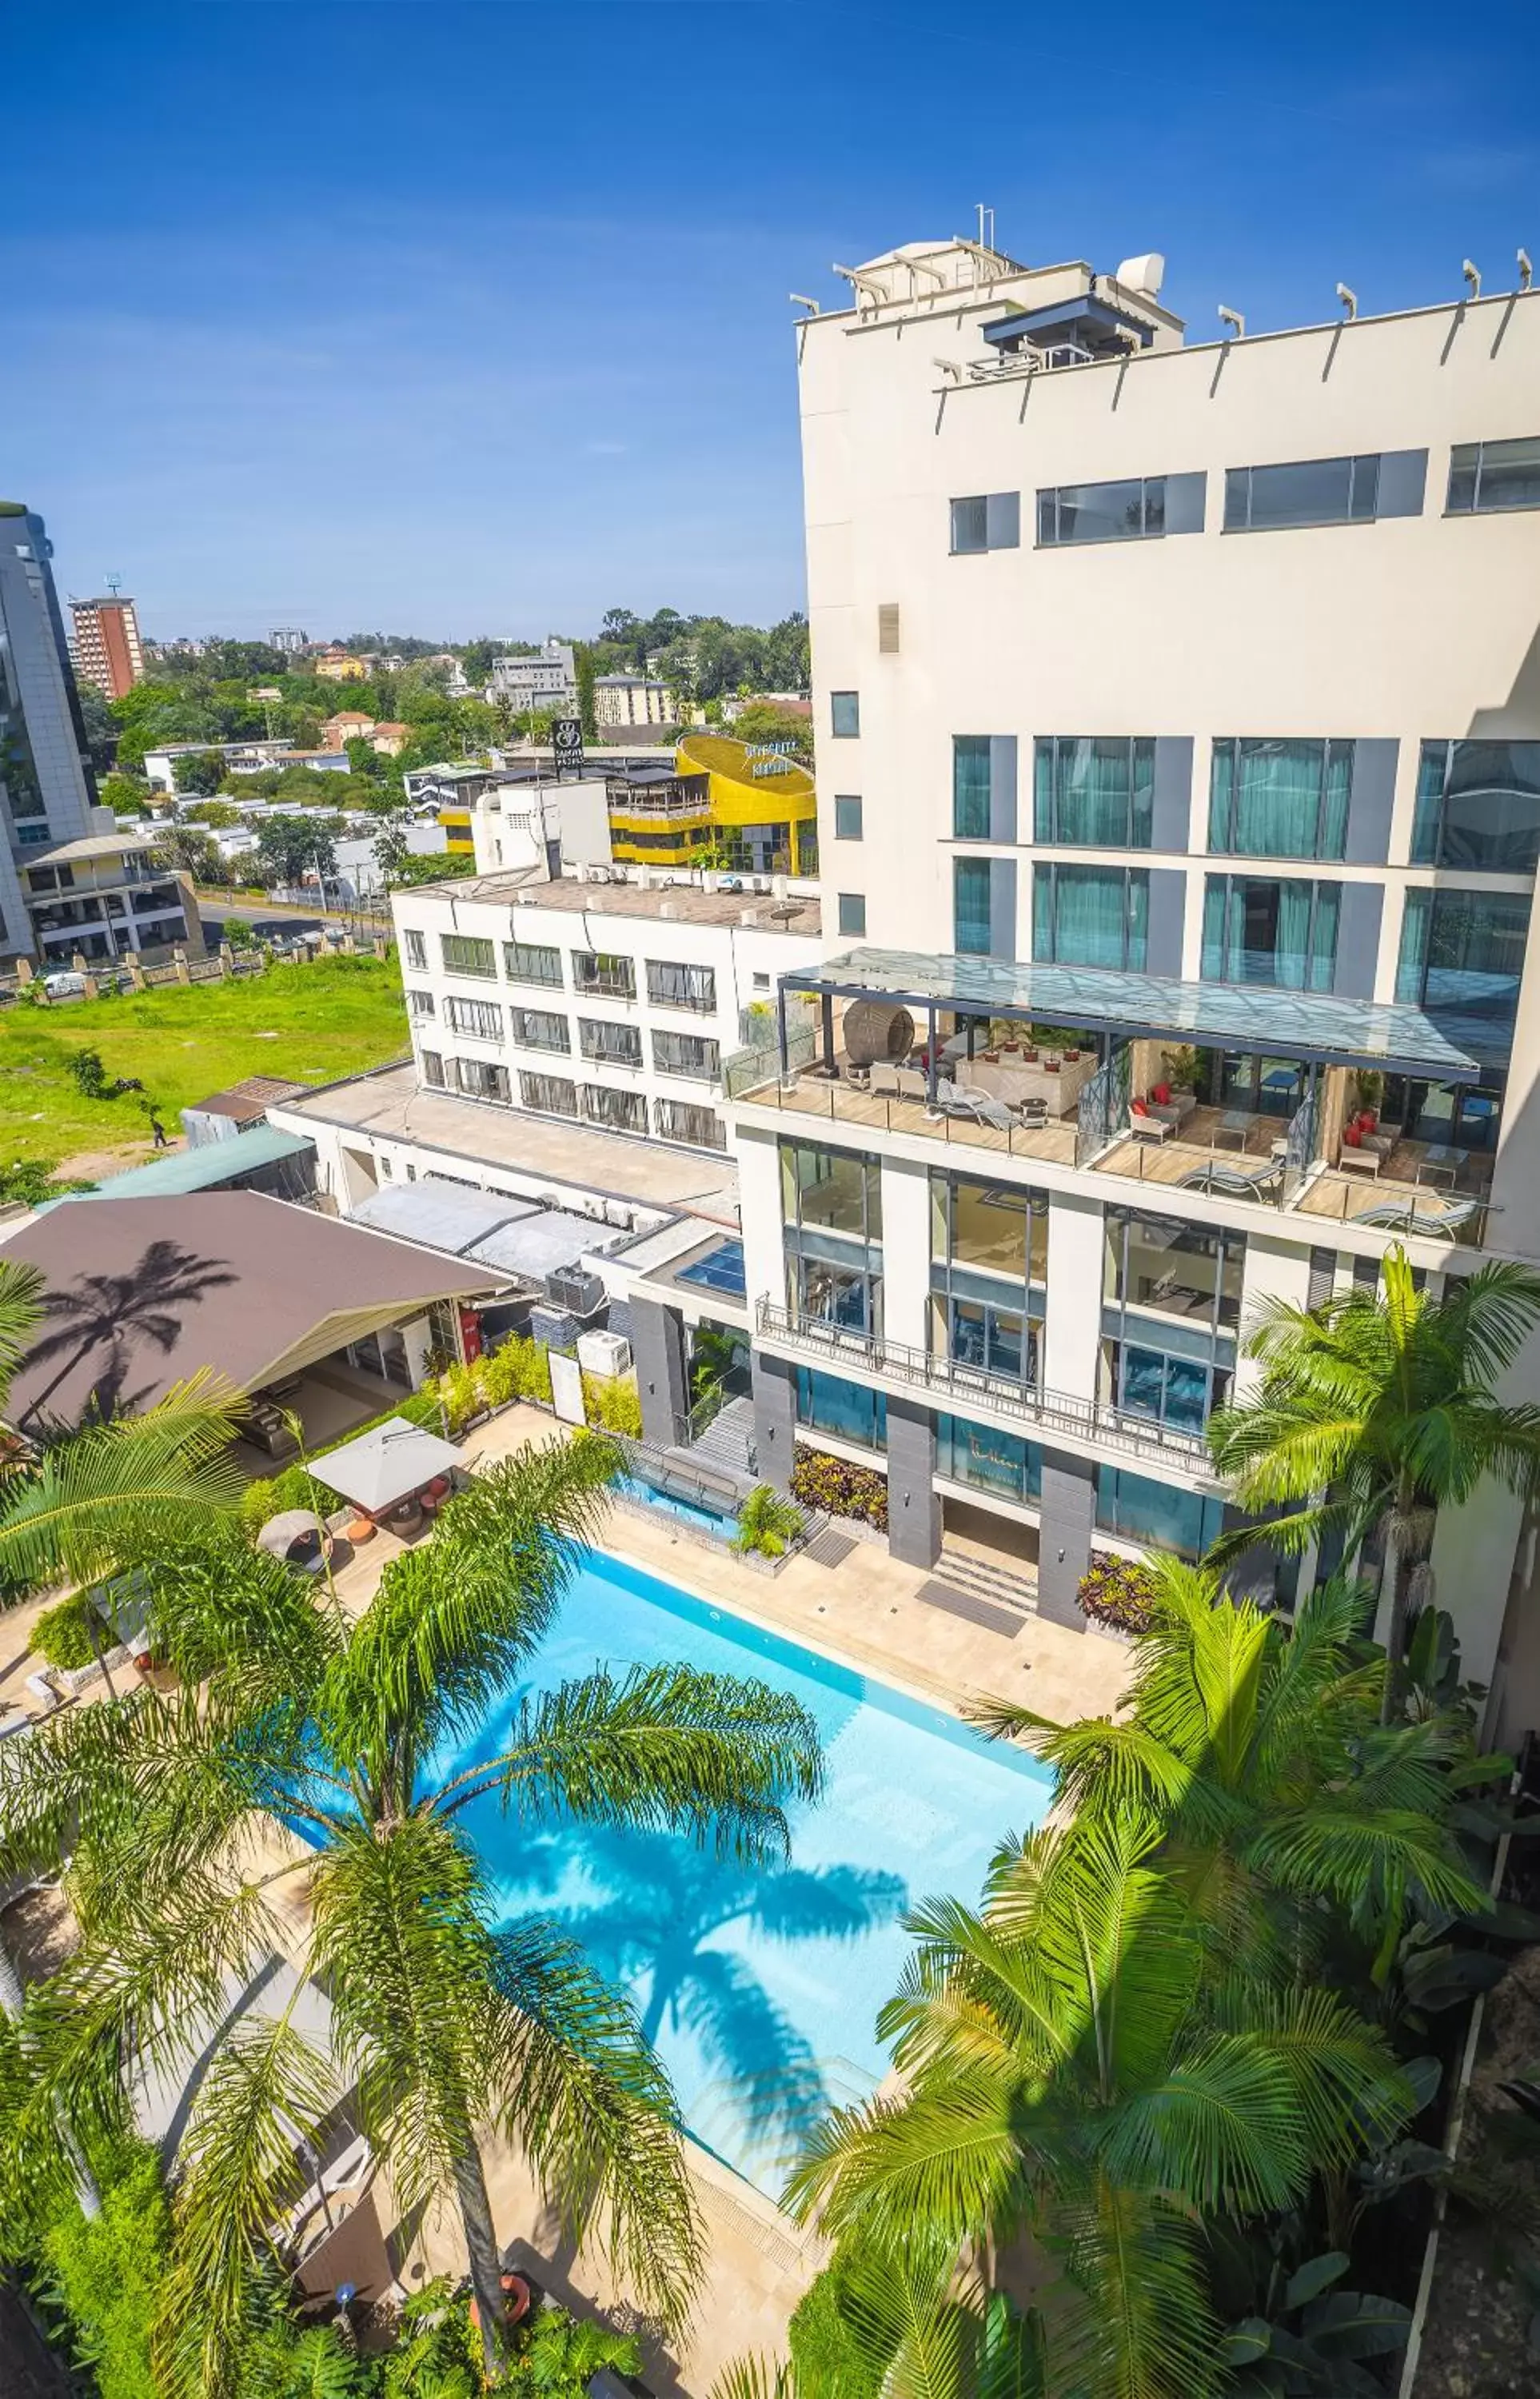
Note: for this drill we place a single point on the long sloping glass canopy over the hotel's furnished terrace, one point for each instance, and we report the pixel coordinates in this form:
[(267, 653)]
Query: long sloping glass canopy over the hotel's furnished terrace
[(1455, 1047)]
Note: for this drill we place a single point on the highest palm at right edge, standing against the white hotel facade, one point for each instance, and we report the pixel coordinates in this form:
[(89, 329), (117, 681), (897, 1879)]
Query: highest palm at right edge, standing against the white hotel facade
[(1378, 1412)]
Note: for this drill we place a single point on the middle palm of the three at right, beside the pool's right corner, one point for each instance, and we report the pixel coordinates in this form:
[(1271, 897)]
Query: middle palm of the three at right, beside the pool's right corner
[(1263, 1760)]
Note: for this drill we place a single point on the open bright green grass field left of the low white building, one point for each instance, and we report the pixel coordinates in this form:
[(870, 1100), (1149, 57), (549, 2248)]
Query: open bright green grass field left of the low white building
[(308, 1023)]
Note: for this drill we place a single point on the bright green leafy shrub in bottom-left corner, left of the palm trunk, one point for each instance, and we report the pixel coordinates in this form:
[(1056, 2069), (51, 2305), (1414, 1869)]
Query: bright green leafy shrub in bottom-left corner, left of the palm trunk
[(104, 2273)]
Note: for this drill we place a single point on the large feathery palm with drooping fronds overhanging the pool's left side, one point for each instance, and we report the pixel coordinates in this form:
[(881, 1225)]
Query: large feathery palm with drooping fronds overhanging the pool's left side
[(445, 2024)]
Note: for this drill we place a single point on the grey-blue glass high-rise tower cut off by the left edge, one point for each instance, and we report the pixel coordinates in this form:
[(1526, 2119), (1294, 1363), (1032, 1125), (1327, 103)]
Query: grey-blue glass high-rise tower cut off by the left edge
[(47, 788)]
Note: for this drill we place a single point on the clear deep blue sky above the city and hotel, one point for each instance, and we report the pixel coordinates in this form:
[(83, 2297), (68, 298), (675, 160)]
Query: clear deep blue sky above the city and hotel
[(474, 320)]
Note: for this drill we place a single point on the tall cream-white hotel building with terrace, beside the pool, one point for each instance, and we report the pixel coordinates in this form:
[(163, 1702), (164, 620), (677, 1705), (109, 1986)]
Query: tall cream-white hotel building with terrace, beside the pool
[(1179, 764)]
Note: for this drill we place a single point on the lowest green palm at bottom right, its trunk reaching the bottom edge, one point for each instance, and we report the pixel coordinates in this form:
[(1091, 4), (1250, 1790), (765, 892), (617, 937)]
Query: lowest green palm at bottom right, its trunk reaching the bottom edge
[(1078, 2072)]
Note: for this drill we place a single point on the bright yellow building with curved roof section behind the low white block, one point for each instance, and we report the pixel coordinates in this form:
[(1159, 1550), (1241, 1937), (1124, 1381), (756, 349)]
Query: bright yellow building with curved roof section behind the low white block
[(728, 802)]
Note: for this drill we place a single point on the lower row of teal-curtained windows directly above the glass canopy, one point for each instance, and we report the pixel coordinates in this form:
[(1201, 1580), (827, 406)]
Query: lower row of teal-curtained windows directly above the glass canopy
[(1460, 949)]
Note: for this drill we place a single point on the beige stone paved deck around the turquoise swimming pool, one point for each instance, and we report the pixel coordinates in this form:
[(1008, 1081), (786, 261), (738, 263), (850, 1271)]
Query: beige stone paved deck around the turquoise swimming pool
[(865, 1613)]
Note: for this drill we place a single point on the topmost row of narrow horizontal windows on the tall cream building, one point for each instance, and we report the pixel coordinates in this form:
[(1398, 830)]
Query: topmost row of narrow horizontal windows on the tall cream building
[(1484, 481)]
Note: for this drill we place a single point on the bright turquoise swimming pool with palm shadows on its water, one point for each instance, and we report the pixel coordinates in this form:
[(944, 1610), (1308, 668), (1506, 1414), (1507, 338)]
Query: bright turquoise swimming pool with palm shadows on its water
[(762, 1985)]
